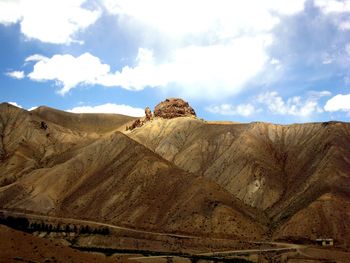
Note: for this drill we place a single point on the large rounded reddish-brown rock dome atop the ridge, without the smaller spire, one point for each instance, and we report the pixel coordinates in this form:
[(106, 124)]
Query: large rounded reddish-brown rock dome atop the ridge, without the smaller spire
[(173, 108)]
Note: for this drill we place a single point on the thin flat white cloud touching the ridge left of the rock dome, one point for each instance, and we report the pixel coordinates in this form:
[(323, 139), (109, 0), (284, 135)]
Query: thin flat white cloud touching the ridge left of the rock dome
[(110, 108)]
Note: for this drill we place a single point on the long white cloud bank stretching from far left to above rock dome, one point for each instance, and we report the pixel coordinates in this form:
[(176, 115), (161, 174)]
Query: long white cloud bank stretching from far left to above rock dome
[(209, 68)]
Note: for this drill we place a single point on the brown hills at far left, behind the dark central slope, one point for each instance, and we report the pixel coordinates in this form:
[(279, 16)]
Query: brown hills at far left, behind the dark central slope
[(45, 137)]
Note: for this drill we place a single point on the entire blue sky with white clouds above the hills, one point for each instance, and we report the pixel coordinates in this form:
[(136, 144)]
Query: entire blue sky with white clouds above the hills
[(279, 61)]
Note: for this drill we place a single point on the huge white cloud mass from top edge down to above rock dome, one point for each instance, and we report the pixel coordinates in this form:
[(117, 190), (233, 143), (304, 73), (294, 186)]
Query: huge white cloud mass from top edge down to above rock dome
[(210, 48)]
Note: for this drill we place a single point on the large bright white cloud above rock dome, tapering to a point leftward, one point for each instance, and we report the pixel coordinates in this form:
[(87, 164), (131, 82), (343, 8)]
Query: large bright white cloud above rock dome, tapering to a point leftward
[(215, 71)]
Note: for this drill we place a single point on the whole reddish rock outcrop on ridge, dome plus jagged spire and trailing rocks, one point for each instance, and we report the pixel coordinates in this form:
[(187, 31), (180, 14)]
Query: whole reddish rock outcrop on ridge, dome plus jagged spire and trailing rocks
[(168, 109)]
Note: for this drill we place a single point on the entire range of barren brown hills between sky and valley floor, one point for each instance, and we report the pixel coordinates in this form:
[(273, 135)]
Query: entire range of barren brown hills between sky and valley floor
[(179, 174)]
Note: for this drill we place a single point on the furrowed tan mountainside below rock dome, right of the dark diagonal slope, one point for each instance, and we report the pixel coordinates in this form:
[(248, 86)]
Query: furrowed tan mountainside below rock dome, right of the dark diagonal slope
[(283, 170)]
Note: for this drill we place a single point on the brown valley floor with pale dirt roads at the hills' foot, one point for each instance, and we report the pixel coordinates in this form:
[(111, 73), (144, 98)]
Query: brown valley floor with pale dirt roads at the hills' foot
[(130, 245)]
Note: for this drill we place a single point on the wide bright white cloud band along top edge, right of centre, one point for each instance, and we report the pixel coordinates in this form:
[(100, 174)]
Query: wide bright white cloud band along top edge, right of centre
[(225, 17)]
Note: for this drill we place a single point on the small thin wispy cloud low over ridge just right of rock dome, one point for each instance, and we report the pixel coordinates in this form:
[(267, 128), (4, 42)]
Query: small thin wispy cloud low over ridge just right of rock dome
[(229, 109)]
